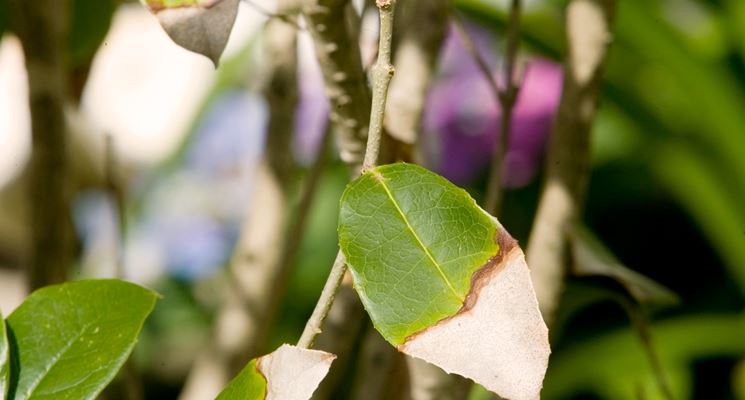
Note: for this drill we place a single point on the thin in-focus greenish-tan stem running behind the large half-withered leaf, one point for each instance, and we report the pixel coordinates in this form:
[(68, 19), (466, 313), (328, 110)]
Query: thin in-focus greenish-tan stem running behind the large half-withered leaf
[(382, 74)]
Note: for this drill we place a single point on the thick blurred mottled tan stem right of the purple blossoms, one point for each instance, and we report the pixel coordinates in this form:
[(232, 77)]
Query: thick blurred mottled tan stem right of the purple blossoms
[(560, 204)]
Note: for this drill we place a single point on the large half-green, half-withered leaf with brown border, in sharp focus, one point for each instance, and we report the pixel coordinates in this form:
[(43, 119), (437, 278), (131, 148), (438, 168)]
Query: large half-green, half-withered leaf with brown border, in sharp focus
[(442, 280)]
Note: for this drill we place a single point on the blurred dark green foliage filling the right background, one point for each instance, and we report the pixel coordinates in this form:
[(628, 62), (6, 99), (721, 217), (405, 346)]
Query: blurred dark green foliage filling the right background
[(669, 166)]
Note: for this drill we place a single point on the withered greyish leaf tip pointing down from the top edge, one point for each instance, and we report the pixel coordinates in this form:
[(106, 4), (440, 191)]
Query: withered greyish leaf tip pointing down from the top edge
[(201, 26)]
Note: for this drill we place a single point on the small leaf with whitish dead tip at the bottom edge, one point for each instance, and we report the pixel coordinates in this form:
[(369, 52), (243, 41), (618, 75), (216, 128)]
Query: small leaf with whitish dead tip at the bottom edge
[(290, 373)]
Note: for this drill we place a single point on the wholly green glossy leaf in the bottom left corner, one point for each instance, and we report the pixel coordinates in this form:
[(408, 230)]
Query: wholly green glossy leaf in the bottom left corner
[(71, 339)]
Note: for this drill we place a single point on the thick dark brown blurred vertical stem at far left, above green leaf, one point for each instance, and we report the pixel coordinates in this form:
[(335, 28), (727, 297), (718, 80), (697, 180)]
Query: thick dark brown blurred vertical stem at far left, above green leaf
[(42, 25)]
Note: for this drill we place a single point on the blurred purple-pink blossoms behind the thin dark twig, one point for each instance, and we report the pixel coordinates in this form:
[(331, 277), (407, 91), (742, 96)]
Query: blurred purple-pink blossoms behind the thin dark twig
[(462, 118)]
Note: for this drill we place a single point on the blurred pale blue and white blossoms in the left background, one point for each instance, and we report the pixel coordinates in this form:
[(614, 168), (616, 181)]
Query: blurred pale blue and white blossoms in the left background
[(191, 218)]
